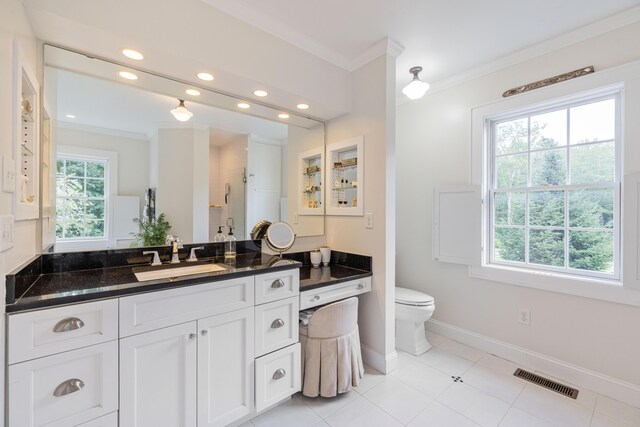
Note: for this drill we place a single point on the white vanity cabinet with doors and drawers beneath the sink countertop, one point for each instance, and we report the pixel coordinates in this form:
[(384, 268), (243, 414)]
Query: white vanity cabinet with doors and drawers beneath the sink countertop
[(182, 357)]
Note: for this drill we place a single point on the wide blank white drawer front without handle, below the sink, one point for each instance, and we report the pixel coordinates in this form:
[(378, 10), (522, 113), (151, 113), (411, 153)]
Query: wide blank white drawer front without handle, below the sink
[(155, 310)]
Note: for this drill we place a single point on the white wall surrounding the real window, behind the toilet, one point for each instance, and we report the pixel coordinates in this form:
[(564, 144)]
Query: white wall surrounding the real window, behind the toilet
[(433, 149)]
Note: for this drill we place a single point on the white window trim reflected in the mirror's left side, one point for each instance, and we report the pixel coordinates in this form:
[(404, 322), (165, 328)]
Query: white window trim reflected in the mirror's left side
[(111, 181)]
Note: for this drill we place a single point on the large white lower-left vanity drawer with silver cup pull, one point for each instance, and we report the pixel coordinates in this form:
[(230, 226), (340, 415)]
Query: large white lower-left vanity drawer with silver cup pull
[(66, 389)]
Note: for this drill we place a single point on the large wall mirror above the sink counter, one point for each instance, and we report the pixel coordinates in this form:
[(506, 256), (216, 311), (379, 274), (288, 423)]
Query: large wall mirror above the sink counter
[(114, 154)]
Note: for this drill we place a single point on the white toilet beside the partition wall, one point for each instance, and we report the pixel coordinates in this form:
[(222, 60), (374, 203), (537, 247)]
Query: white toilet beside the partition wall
[(413, 308)]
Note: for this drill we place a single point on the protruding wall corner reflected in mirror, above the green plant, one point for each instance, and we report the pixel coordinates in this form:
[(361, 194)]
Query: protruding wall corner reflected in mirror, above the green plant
[(183, 184)]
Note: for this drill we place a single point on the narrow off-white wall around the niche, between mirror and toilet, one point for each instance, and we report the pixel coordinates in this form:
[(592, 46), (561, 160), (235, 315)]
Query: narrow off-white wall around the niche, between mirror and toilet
[(373, 117)]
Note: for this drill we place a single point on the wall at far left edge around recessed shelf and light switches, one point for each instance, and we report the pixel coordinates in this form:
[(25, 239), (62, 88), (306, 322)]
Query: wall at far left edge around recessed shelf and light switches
[(13, 25)]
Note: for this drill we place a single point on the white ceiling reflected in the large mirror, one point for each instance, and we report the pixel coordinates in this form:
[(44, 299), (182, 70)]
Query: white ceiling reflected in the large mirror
[(111, 106)]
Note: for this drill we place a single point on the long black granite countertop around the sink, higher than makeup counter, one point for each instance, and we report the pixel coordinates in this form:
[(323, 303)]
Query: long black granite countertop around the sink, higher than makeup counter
[(97, 283)]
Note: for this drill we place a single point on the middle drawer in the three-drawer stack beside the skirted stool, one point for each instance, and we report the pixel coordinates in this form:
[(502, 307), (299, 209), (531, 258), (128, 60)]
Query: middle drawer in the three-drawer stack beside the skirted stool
[(276, 325)]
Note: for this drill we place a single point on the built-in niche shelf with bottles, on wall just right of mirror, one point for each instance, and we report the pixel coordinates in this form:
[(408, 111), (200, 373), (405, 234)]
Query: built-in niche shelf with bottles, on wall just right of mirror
[(345, 161)]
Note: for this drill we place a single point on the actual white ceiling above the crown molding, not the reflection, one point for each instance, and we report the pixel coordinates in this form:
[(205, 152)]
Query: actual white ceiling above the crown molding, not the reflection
[(445, 37)]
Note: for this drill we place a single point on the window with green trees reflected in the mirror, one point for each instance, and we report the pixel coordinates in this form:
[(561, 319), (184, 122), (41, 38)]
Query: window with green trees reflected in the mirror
[(81, 201)]
